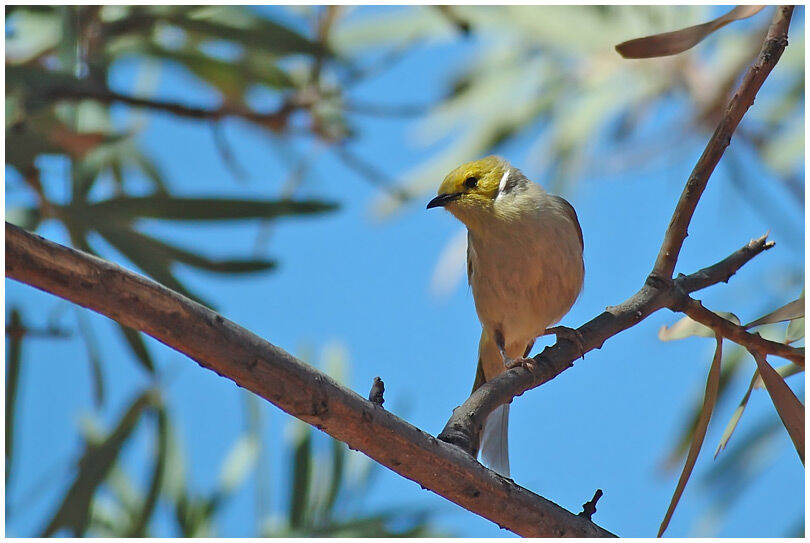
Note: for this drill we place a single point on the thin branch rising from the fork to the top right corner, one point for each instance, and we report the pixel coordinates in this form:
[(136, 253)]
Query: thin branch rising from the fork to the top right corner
[(775, 43)]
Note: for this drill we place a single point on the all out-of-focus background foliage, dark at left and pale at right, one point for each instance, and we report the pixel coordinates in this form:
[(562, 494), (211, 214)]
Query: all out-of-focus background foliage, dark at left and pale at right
[(549, 75)]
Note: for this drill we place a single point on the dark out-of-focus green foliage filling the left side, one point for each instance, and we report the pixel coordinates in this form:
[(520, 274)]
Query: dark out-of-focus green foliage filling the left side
[(59, 103)]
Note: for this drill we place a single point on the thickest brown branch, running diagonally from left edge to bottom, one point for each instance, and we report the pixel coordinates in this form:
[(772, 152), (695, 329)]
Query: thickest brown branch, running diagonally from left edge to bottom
[(235, 353)]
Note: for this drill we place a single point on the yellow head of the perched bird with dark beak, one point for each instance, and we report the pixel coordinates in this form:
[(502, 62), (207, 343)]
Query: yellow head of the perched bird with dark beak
[(471, 189)]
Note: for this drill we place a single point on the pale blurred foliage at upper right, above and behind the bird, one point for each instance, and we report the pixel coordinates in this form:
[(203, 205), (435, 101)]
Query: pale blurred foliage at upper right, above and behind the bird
[(552, 75)]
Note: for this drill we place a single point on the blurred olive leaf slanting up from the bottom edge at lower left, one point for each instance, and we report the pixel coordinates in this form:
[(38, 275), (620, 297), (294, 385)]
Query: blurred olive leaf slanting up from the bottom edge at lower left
[(74, 511)]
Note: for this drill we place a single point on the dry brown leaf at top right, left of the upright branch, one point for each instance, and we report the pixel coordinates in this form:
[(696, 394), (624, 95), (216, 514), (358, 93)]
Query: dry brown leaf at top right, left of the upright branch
[(672, 43)]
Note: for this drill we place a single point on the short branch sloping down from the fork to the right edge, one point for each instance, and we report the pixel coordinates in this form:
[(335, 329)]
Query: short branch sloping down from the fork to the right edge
[(737, 334)]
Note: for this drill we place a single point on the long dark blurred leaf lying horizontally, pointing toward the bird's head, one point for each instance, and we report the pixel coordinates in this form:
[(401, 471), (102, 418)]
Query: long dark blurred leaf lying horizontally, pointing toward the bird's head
[(203, 209)]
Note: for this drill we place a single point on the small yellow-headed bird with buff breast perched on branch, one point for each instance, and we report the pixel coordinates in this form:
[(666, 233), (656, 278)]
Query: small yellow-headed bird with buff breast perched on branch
[(525, 267)]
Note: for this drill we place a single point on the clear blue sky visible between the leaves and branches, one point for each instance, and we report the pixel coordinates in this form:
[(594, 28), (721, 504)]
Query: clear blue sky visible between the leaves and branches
[(353, 281)]
